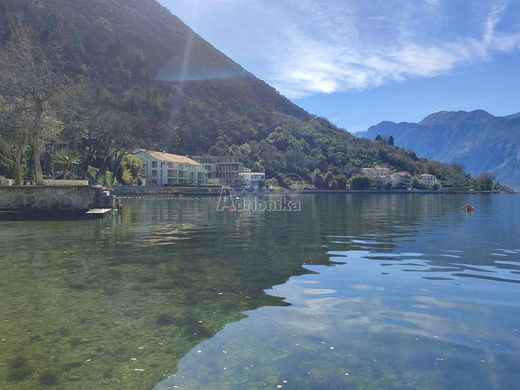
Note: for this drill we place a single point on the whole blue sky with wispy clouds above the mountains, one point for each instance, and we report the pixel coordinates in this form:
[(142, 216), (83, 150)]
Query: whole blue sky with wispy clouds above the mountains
[(359, 62)]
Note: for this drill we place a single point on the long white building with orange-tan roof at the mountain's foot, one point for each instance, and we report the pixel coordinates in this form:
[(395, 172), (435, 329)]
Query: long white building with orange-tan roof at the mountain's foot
[(165, 169)]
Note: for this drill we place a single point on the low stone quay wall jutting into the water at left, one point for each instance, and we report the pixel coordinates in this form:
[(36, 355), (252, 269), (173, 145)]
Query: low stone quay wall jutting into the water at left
[(43, 198)]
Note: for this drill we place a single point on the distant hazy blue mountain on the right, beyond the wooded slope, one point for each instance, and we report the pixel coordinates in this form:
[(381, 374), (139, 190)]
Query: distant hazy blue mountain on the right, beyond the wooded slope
[(477, 140)]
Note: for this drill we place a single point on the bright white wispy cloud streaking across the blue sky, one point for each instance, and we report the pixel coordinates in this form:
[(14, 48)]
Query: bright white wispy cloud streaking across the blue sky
[(338, 63)]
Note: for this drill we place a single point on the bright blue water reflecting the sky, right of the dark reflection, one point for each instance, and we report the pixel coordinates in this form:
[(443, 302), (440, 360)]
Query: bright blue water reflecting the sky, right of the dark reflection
[(400, 311)]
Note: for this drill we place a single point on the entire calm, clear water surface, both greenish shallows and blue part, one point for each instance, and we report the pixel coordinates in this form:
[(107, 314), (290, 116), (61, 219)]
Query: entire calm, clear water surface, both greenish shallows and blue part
[(353, 291)]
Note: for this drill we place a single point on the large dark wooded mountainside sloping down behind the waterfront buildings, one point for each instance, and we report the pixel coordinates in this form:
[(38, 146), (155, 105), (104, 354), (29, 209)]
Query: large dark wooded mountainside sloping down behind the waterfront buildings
[(120, 74)]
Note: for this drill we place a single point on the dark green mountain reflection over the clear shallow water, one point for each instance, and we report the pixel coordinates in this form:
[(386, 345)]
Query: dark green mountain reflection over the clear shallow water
[(99, 297)]
